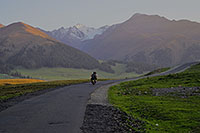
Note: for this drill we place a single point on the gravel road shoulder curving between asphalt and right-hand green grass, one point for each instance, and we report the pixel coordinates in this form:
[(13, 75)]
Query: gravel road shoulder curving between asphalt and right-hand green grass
[(101, 116)]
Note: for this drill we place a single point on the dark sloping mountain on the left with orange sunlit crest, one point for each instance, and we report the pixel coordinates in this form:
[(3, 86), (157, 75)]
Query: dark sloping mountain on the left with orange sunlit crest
[(25, 46)]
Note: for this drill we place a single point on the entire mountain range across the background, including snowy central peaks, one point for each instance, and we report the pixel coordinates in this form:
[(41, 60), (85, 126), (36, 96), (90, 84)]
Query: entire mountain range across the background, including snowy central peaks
[(143, 39)]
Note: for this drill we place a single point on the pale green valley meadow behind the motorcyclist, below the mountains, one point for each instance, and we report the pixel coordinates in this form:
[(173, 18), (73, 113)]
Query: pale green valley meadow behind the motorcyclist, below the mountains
[(71, 74)]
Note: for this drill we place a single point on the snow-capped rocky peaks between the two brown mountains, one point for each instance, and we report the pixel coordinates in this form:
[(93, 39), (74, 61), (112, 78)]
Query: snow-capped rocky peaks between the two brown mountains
[(74, 35)]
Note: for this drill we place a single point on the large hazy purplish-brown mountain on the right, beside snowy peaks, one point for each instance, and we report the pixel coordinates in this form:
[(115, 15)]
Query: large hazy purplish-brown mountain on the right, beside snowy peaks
[(148, 39)]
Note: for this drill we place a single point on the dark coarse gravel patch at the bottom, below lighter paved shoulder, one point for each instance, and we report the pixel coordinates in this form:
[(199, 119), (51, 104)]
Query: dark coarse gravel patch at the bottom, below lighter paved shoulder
[(107, 119)]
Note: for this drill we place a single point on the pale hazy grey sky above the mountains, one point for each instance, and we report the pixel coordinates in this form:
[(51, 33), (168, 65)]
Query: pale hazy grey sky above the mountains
[(52, 14)]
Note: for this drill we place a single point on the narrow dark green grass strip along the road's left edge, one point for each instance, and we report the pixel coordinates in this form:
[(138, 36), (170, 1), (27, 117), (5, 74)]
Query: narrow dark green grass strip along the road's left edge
[(11, 91)]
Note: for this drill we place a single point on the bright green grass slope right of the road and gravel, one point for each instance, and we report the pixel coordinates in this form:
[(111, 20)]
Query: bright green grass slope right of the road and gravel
[(166, 113)]
